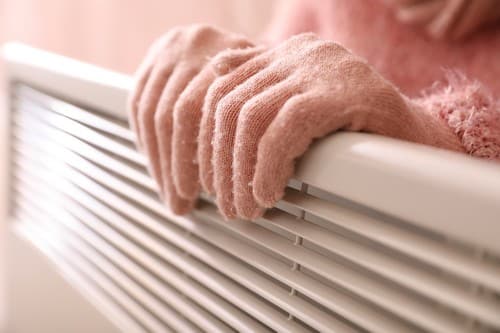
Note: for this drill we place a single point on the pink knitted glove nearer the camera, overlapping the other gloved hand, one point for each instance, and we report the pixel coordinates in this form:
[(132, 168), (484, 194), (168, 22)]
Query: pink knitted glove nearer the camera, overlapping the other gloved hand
[(258, 119)]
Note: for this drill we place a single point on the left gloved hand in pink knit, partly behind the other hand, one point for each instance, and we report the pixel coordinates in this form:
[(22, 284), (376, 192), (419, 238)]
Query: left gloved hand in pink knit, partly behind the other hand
[(165, 106)]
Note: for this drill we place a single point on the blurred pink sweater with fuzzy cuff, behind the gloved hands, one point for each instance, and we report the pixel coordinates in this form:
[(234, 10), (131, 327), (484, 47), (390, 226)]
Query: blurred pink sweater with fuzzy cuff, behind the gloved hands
[(458, 81)]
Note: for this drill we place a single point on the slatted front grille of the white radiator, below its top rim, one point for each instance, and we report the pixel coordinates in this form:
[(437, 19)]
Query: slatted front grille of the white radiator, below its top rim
[(316, 262)]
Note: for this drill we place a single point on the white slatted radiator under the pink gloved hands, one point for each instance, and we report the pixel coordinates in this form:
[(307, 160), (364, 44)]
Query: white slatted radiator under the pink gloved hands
[(373, 235)]
